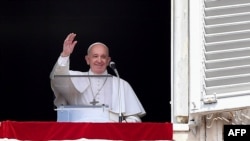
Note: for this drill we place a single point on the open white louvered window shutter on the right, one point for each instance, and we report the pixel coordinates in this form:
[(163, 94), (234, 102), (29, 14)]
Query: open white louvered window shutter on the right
[(225, 55)]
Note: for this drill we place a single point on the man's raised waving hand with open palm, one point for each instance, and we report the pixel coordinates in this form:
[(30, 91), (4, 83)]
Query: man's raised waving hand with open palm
[(68, 45)]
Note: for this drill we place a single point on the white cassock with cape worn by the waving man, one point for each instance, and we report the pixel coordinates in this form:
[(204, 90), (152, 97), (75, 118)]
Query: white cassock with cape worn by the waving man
[(77, 91)]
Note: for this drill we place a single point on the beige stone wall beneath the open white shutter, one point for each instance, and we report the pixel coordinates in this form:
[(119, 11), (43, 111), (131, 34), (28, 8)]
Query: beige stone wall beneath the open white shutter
[(211, 132)]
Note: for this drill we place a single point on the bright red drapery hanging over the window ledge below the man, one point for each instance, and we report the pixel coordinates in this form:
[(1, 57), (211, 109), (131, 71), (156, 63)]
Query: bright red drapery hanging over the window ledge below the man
[(71, 131)]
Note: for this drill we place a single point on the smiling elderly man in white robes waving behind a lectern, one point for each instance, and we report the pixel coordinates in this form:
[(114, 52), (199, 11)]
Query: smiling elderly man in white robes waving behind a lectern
[(113, 92)]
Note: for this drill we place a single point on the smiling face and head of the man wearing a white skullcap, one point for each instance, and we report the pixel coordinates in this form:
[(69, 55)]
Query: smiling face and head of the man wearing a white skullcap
[(98, 59)]
